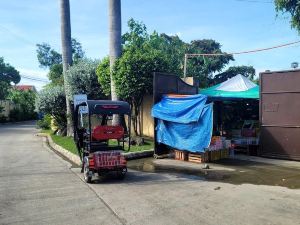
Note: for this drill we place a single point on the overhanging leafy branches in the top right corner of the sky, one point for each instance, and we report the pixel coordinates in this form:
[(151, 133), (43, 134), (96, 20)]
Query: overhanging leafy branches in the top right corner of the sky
[(291, 7)]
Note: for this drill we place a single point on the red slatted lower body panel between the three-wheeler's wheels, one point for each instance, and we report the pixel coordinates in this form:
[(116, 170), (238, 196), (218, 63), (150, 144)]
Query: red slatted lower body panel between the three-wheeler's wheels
[(108, 160)]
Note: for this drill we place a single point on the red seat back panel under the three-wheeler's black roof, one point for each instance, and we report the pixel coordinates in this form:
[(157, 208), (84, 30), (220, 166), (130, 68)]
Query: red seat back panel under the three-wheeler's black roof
[(100, 133)]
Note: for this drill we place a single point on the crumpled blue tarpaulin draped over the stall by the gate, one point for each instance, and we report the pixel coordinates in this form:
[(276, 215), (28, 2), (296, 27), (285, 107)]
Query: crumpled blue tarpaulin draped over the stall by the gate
[(185, 123)]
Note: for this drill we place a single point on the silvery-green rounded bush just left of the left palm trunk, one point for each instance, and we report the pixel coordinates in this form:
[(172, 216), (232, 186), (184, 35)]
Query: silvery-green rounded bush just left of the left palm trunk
[(52, 101)]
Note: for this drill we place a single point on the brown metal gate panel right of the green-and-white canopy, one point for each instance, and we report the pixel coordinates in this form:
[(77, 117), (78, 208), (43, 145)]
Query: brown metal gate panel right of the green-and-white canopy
[(280, 114)]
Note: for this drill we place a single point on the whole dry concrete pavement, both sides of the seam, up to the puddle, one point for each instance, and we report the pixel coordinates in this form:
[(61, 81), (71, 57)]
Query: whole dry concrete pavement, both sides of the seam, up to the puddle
[(36, 187)]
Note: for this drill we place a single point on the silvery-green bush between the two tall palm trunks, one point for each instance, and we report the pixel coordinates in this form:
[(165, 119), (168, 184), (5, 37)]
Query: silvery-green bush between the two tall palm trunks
[(82, 79)]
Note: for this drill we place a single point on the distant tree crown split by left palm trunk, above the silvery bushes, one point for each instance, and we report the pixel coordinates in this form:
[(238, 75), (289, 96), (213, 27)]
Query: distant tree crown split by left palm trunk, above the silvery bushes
[(49, 57)]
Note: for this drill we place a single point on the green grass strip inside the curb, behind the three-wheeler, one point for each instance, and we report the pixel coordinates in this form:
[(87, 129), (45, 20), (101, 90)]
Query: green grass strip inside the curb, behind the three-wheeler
[(69, 144)]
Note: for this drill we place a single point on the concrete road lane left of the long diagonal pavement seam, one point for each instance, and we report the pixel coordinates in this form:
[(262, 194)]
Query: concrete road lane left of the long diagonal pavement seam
[(37, 187)]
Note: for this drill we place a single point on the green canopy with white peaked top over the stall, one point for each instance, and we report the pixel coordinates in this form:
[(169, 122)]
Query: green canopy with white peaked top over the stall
[(238, 87)]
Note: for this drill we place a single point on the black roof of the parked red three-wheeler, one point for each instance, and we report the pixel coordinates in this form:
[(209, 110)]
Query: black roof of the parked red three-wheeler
[(108, 107)]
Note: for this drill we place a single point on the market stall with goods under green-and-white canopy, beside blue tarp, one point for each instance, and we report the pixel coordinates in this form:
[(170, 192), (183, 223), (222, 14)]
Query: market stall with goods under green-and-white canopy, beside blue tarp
[(236, 112)]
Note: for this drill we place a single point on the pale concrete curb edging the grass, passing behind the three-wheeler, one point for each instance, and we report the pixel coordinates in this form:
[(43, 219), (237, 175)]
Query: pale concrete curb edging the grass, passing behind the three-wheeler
[(76, 159)]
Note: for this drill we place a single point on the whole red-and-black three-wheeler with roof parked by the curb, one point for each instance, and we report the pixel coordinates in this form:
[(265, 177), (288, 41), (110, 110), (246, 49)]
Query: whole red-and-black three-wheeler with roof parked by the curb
[(99, 142)]
